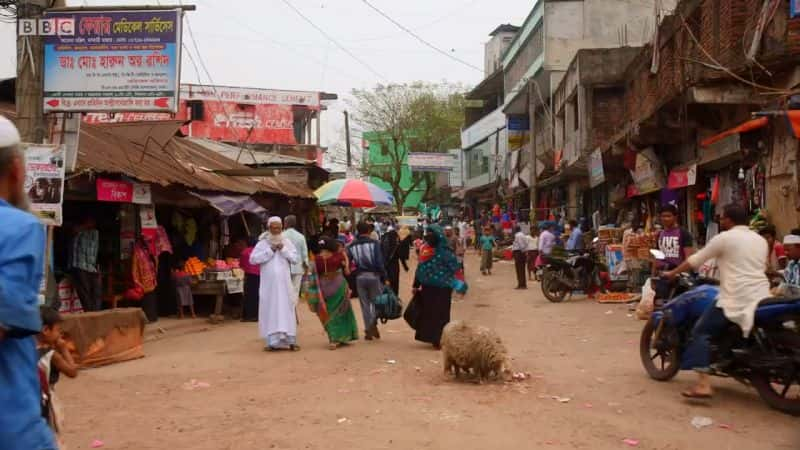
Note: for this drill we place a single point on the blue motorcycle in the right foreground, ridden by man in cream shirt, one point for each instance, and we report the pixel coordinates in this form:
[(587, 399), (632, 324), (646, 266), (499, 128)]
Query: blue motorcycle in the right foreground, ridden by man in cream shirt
[(769, 359)]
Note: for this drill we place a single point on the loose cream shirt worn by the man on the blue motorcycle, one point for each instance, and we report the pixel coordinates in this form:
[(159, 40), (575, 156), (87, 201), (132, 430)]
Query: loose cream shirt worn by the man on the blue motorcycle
[(741, 256)]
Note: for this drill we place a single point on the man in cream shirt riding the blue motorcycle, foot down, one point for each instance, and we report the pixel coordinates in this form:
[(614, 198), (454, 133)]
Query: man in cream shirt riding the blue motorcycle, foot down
[(741, 256)]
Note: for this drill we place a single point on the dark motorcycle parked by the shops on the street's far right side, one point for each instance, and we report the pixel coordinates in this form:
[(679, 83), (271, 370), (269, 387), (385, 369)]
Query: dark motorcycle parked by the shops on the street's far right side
[(561, 277)]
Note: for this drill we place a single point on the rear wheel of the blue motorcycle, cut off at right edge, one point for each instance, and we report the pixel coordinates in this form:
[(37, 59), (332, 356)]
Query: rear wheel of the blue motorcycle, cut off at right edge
[(781, 389)]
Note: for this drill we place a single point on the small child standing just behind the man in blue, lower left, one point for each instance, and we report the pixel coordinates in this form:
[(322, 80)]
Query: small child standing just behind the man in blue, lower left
[(54, 359)]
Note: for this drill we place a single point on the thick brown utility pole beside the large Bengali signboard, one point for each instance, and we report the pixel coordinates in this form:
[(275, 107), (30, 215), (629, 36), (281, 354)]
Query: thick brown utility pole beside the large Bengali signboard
[(30, 59)]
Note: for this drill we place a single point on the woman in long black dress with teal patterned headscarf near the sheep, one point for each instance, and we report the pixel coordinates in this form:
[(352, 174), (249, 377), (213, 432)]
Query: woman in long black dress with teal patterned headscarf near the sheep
[(433, 285)]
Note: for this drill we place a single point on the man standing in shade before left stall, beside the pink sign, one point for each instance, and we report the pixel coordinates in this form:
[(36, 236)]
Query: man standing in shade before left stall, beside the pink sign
[(86, 277)]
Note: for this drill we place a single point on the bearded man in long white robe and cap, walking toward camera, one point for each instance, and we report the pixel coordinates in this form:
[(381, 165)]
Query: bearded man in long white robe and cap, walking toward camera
[(277, 320)]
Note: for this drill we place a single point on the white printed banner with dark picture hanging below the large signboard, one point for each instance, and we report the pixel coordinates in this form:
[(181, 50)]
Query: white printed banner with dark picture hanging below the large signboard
[(44, 183)]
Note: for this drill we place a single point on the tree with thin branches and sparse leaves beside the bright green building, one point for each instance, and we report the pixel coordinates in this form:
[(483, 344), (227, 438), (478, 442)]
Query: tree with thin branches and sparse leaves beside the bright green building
[(418, 117)]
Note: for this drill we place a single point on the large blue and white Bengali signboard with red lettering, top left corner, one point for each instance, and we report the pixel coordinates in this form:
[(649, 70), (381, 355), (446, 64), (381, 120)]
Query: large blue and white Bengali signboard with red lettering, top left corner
[(112, 61)]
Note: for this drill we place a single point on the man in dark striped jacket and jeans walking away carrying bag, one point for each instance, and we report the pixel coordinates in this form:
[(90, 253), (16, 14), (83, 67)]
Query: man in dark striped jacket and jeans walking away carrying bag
[(367, 256)]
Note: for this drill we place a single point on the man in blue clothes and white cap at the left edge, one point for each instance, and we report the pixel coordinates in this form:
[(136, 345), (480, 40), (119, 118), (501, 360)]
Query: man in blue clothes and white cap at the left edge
[(21, 267)]
